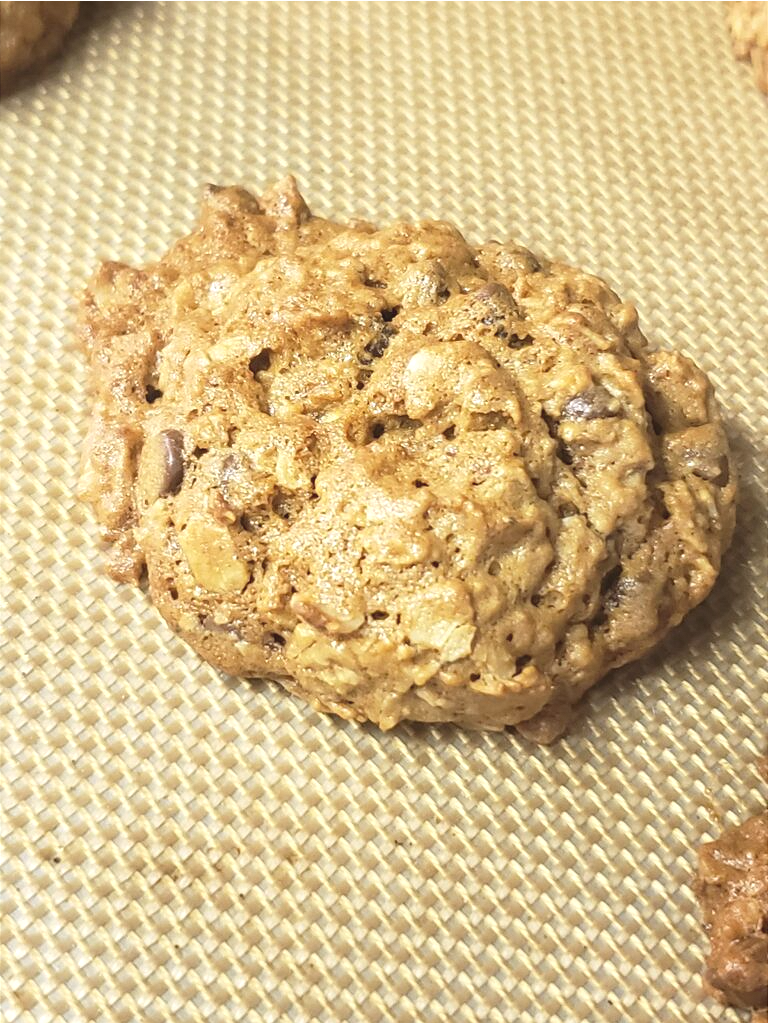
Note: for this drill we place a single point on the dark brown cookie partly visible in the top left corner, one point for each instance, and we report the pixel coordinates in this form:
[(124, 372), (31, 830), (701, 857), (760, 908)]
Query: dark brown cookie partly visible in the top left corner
[(31, 33)]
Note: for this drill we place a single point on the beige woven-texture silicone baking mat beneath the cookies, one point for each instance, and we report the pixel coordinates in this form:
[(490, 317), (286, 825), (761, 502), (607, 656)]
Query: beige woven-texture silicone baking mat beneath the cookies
[(183, 846)]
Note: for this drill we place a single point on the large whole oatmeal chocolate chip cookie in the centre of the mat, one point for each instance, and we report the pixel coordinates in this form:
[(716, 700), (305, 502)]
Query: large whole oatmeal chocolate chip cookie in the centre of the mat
[(408, 478)]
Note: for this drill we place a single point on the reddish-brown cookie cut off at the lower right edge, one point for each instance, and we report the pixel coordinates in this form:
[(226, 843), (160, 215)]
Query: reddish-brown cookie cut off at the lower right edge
[(733, 887)]
